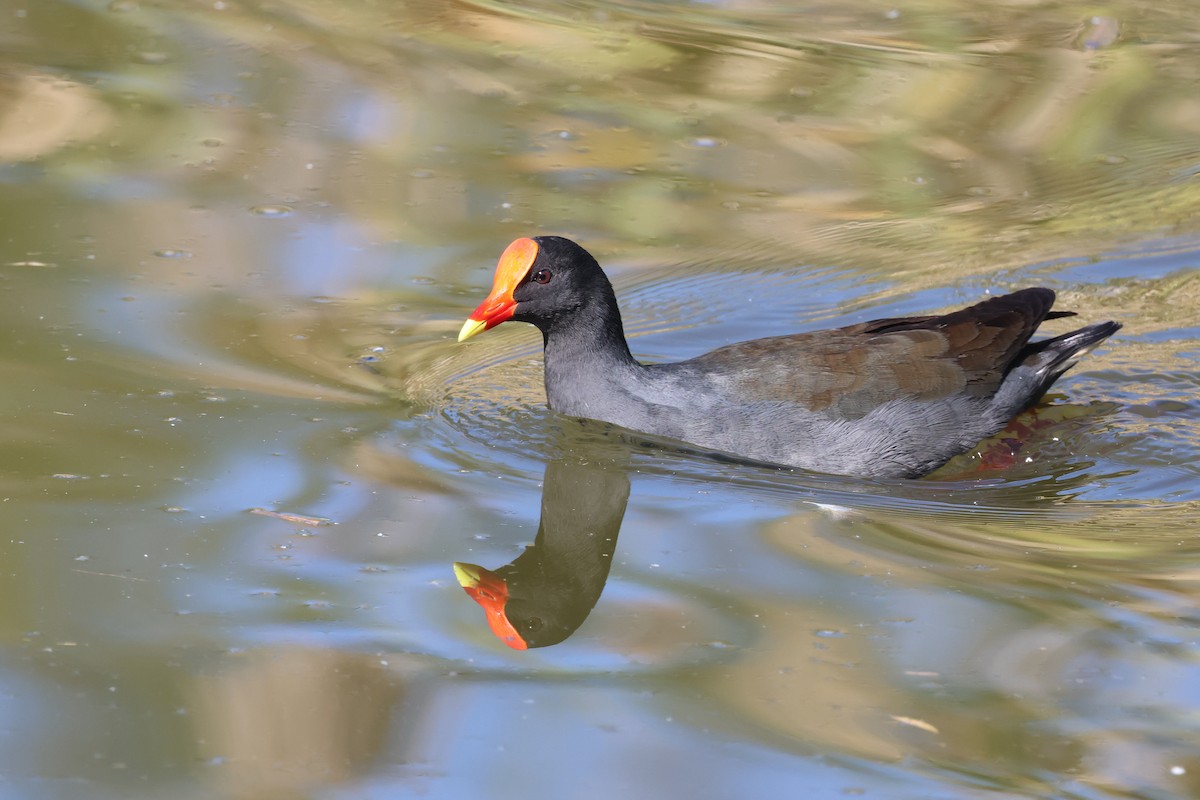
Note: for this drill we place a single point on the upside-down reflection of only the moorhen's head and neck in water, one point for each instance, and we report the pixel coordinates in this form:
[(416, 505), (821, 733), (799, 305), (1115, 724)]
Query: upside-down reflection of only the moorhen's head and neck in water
[(544, 596)]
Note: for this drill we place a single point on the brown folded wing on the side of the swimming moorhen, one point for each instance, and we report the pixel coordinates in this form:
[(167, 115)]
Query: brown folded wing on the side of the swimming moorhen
[(850, 371)]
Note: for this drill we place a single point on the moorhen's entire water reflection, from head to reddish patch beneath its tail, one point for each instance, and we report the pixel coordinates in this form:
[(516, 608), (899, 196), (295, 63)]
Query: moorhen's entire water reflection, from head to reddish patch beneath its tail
[(548, 592)]
